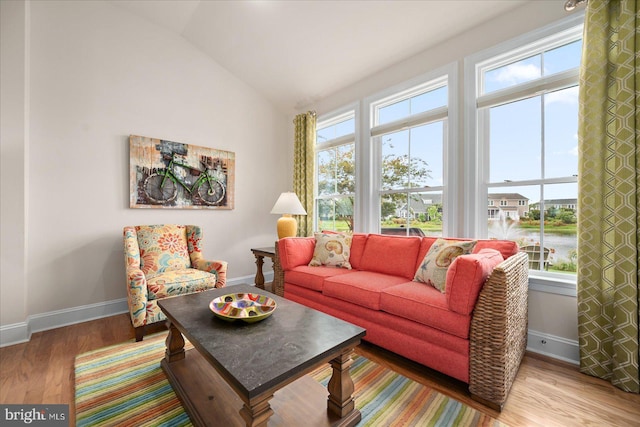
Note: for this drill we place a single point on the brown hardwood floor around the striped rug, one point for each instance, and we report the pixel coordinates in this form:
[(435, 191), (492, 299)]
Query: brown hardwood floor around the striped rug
[(546, 392)]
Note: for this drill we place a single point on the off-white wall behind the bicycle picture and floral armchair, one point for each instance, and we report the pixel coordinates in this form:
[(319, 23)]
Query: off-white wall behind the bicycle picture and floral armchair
[(97, 75)]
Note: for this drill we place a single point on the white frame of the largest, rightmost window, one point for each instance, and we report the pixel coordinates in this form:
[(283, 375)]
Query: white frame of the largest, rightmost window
[(476, 186)]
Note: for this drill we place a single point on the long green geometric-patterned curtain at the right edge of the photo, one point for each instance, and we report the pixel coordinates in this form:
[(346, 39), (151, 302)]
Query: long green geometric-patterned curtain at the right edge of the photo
[(609, 193)]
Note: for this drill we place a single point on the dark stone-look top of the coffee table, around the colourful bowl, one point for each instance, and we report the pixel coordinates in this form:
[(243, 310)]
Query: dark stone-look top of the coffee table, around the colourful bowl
[(255, 357)]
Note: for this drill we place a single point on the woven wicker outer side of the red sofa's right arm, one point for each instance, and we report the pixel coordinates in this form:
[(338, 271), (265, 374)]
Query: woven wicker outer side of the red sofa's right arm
[(498, 336)]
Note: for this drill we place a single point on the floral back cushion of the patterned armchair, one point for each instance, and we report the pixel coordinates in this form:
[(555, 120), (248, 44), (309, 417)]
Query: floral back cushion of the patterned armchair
[(162, 248)]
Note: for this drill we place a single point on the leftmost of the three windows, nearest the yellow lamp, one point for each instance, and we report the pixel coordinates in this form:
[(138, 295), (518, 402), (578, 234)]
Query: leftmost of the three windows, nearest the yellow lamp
[(335, 172)]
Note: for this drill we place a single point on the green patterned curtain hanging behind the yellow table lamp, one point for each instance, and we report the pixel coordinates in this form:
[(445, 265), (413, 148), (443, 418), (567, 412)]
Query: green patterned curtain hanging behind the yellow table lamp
[(303, 168)]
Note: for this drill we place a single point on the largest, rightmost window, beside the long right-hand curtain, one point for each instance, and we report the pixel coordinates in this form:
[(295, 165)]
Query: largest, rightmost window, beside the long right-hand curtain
[(526, 112)]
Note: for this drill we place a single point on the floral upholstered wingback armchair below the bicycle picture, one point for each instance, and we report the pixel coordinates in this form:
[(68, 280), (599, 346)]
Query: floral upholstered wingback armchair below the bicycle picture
[(164, 261)]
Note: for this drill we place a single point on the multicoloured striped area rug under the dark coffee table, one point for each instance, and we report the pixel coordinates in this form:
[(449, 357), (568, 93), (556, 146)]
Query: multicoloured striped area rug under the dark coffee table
[(123, 385)]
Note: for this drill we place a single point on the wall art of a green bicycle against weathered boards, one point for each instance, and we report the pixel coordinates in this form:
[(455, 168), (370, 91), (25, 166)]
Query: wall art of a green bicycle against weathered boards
[(173, 175)]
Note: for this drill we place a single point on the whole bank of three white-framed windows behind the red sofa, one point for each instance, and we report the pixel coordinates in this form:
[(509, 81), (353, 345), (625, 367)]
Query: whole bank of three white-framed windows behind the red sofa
[(394, 162)]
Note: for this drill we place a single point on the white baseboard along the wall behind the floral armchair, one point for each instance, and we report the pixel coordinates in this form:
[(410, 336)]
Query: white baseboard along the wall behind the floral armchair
[(17, 333)]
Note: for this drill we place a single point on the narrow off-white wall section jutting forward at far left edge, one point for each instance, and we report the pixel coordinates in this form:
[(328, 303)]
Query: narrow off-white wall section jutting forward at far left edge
[(13, 136)]
